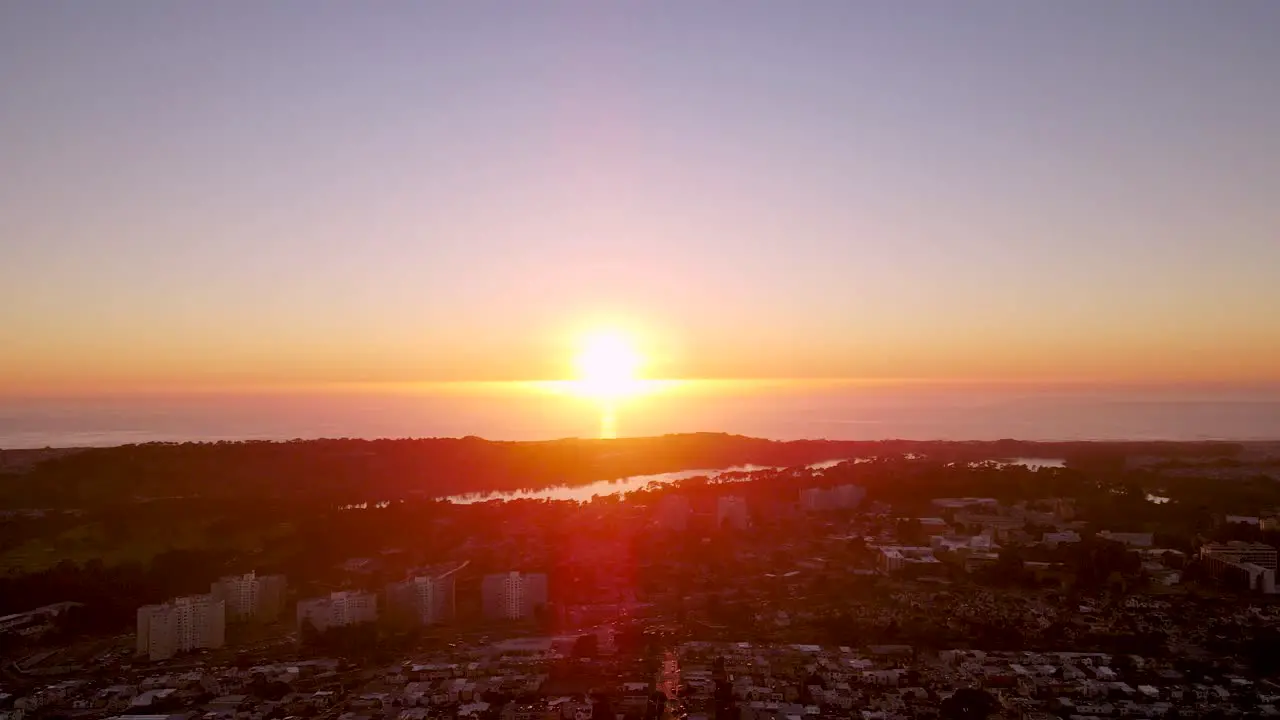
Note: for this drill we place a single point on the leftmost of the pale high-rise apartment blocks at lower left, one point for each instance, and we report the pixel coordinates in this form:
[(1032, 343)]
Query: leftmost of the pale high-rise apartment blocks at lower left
[(181, 626)]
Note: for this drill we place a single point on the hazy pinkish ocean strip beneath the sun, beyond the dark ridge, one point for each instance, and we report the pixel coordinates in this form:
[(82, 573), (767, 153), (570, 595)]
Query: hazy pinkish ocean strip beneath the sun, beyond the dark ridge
[(779, 411)]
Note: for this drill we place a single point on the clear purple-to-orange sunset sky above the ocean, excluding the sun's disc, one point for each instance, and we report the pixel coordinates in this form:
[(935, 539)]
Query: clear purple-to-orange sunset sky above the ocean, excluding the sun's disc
[(216, 194)]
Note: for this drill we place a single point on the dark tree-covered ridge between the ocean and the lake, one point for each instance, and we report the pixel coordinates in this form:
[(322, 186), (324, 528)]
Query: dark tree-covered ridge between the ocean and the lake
[(356, 471)]
